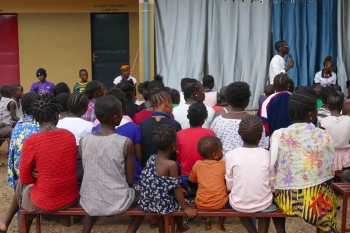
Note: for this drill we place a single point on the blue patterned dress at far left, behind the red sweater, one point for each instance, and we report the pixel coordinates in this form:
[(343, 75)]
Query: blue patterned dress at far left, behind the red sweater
[(23, 129)]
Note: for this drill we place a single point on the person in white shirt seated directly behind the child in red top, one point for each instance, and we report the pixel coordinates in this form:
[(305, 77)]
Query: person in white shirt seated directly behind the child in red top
[(193, 93)]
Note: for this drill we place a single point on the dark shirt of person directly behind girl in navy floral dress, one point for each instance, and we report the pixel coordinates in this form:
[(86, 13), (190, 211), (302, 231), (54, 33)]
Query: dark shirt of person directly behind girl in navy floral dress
[(147, 126)]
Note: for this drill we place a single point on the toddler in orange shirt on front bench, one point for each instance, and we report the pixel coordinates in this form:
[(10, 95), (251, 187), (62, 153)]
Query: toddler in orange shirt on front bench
[(209, 175)]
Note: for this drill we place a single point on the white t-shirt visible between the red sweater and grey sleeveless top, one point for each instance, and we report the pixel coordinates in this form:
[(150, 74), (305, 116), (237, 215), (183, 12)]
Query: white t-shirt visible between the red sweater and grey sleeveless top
[(77, 126)]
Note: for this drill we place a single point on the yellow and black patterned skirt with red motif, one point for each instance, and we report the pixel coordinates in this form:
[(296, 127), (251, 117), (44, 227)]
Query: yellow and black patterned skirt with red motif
[(317, 205)]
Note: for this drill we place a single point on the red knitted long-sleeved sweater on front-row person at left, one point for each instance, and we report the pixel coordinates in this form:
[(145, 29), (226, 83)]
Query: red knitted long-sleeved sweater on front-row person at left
[(56, 185)]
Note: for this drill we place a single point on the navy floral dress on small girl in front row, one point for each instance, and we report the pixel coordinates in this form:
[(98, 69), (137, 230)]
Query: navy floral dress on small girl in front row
[(155, 189)]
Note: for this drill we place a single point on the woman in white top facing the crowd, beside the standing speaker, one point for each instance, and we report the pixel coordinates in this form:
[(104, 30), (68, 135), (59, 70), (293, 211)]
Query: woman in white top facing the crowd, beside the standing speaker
[(326, 76)]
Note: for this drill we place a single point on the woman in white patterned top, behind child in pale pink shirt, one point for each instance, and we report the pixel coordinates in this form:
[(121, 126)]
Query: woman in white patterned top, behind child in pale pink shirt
[(226, 125)]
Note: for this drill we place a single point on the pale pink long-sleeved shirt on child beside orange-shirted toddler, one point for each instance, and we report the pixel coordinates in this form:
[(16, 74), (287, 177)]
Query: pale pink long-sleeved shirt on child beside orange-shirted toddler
[(250, 178)]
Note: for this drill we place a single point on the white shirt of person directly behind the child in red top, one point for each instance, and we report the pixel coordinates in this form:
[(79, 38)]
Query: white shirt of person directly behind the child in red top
[(180, 115)]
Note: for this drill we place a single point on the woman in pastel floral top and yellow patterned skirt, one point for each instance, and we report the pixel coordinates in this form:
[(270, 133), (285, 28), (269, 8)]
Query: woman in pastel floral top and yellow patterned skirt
[(303, 157)]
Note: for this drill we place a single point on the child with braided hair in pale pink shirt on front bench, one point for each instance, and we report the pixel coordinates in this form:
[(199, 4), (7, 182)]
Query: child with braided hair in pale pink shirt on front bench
[(250, 193)]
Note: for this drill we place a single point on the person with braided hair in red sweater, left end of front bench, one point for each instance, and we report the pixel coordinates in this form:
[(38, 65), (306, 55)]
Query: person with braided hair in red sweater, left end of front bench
[(55, 186)]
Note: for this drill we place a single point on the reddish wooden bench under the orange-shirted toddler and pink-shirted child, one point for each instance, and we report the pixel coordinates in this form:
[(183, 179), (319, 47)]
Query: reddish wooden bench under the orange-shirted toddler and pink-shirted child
[(229, 213)]
